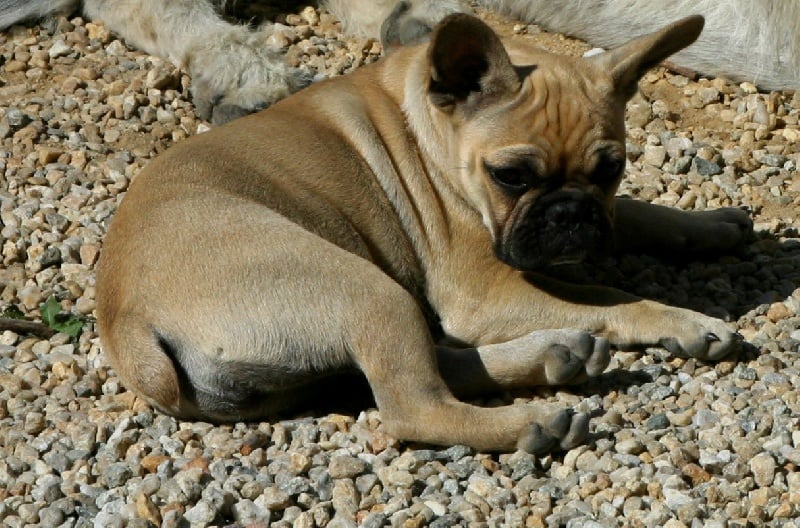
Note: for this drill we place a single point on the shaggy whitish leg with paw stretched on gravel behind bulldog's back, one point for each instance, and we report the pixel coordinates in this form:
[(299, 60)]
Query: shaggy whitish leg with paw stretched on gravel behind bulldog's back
[(234, 71)]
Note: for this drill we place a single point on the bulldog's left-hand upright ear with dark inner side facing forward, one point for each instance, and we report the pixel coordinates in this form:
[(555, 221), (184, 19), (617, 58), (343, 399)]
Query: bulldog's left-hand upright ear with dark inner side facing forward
[(468, 63)]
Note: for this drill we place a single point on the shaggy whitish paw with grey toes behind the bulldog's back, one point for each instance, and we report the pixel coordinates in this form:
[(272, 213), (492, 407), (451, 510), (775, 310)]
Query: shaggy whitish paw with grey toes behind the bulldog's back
[(236, 72)]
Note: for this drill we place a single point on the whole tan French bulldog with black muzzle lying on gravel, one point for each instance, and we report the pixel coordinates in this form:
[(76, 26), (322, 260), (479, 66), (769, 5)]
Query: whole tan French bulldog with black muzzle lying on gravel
[(332, 231)]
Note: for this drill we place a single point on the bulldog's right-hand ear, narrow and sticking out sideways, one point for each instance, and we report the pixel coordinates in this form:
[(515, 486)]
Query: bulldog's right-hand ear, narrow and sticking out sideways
[(629, 62)]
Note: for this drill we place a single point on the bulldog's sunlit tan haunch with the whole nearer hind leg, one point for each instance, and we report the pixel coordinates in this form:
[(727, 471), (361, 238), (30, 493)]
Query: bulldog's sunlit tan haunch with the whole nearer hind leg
[(233, 337)]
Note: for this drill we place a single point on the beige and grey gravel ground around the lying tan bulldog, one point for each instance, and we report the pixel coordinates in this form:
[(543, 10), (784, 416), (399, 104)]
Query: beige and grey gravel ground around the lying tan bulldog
[(674, 442)]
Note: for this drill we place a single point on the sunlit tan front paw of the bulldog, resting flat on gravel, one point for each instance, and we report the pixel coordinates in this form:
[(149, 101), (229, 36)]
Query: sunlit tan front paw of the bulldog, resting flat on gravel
[(703, 338)]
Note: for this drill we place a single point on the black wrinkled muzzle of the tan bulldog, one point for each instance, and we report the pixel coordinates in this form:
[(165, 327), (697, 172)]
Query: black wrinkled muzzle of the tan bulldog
[(562, 227)]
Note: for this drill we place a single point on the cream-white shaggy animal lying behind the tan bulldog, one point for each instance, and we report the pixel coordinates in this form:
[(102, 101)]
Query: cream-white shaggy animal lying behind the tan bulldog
[(235, 70)]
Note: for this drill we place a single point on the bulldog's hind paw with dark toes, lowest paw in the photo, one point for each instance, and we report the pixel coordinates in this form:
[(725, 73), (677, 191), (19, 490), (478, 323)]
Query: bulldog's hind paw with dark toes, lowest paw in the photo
[(564, 430)]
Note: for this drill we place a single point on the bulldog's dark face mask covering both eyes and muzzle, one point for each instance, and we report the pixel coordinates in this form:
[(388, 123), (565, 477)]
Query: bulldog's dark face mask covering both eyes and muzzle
[(553, 213)]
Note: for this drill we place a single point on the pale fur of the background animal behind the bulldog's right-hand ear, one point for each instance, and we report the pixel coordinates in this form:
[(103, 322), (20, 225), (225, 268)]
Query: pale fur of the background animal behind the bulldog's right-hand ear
[(743, 40)]
